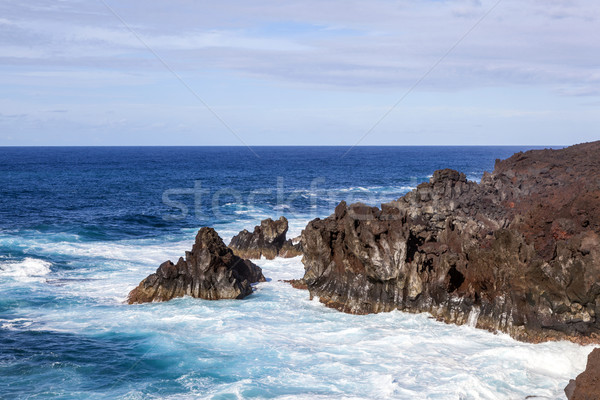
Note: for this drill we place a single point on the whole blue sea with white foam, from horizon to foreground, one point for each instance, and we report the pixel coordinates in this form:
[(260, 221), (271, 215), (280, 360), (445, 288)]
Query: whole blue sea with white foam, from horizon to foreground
[(81, 226)]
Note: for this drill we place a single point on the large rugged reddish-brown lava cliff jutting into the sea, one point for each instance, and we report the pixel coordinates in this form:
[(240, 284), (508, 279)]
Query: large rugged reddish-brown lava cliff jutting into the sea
[(517, 253)]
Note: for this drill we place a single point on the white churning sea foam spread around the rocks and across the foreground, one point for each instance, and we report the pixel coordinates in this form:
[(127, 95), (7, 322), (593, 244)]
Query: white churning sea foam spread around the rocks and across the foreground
[(279, 341)]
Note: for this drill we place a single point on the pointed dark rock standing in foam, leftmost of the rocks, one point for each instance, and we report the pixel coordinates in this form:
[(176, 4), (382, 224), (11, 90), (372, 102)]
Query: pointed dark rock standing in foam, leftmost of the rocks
[(210, 271)]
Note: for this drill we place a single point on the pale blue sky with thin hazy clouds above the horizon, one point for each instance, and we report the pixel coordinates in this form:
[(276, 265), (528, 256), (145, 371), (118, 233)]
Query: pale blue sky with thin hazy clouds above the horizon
[(313, 72)]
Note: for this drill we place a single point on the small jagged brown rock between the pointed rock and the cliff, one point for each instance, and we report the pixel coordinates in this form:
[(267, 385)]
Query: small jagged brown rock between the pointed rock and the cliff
[(267, 240)]
